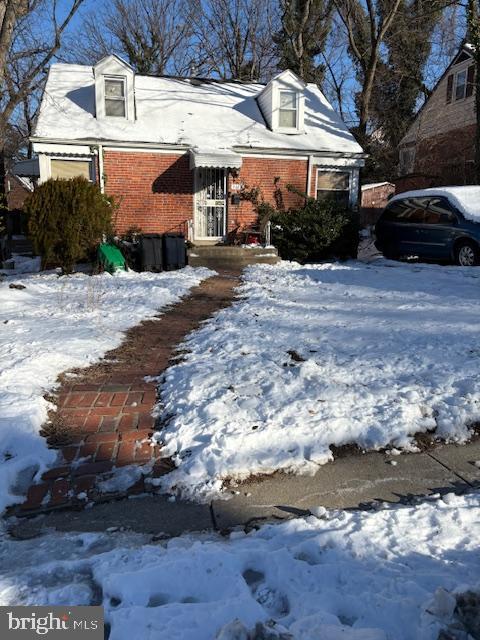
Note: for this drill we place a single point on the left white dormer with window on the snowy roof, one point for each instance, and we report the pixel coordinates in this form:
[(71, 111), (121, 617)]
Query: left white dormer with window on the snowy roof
[(114, 89)]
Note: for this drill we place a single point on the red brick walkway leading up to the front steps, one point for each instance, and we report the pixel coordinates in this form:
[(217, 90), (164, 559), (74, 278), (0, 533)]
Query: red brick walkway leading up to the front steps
[(103, 419)]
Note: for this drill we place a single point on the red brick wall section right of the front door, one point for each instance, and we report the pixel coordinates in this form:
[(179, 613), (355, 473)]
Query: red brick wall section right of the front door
[(261, 172)]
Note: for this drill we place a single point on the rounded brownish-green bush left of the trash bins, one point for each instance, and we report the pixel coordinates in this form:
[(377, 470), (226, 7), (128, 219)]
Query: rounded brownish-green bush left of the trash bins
[(67, 219)]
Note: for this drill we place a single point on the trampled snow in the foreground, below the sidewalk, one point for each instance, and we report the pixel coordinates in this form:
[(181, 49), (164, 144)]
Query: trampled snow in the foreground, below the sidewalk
[(386, 575)]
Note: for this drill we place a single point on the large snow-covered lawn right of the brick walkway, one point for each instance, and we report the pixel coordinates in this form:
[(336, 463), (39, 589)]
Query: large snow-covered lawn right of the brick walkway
[(323, 355)]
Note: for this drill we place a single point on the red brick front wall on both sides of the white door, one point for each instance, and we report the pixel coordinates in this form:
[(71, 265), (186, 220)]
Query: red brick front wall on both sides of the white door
[(155, 190)]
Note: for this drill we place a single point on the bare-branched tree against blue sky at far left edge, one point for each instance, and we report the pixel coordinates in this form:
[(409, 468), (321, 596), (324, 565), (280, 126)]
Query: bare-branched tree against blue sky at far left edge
[(31, 35)]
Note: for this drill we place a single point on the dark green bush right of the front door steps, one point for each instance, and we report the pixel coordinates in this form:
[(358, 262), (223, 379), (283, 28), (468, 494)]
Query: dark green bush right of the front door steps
[(317, 231)]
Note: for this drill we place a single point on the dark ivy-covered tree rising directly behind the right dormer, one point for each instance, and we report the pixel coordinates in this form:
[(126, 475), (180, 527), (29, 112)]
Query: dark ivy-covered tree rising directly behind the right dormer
[(305, 28)]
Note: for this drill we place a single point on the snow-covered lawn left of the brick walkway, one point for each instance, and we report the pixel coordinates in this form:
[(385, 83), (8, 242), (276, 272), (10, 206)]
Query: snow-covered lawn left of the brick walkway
[(54, 324)]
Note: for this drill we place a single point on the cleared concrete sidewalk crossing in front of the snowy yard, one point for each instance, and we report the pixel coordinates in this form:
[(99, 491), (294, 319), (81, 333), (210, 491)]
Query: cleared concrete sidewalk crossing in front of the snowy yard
[(354, 481)]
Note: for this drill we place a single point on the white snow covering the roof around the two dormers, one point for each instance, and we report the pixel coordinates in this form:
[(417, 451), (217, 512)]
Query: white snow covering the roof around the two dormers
[(186, 112)]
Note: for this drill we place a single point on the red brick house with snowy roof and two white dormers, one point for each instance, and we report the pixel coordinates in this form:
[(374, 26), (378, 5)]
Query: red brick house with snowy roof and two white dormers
[(177, 153)]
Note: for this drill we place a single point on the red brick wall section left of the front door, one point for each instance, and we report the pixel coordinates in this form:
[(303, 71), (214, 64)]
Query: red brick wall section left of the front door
[(155, 190)]
